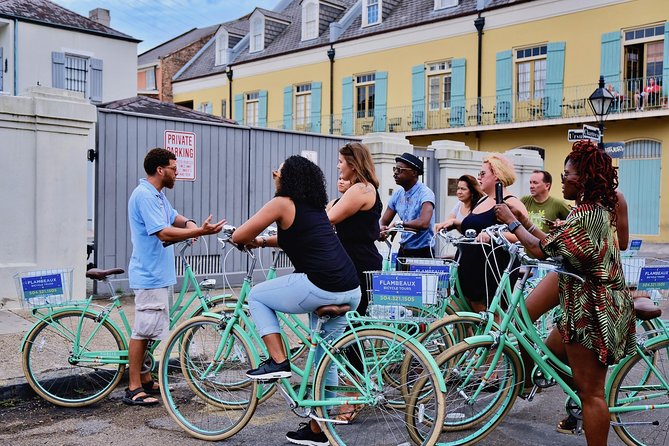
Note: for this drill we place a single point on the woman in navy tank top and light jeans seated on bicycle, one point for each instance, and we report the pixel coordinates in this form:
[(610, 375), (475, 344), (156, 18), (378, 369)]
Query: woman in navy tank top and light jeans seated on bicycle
[(324, 273)]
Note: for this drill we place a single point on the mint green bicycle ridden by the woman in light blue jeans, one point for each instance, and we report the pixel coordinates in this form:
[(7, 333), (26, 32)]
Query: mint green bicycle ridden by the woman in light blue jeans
[(207, 393)]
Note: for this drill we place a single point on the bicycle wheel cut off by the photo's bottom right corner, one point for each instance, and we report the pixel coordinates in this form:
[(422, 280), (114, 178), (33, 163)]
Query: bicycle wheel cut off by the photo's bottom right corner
[(643, 383)]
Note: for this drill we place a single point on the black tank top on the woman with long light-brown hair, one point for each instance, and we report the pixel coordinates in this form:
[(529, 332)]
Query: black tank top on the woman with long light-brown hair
[(358, 233)]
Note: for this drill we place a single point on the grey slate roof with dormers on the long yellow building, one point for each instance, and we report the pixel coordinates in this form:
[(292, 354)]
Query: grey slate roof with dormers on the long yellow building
[(405, 13)]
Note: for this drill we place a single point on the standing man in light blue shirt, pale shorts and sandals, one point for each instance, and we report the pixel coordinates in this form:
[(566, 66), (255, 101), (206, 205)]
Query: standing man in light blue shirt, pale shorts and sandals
[(151, 272)]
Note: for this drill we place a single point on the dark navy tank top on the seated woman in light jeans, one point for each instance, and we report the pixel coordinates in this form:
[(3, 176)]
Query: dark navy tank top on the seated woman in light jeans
[(314, 249)]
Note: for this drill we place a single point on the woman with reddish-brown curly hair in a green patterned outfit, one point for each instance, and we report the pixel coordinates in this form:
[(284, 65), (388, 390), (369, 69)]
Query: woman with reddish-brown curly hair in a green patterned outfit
[(596, 328)]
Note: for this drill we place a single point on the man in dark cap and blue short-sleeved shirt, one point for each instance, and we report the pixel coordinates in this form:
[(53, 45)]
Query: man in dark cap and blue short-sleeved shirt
[(413, 202)]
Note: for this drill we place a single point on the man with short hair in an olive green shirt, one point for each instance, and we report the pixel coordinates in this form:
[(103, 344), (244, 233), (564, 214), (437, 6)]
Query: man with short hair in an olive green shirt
[(541, 207)]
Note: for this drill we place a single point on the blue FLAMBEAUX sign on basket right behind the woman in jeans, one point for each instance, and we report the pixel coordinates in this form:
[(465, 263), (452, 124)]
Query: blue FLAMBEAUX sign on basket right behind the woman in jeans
[(398, 289)]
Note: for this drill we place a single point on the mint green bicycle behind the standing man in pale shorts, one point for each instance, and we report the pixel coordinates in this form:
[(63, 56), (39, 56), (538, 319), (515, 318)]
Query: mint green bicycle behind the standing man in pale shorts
[(75, 354)]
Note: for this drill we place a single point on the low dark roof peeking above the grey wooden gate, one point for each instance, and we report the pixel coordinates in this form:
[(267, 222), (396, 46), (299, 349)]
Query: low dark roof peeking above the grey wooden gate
[(150, 106)]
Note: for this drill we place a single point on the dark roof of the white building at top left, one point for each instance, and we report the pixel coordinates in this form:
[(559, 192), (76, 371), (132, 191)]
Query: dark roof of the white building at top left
[(50, 14)]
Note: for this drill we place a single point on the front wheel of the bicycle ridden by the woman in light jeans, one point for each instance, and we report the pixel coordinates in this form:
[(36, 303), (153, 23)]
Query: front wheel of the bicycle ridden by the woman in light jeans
[(191, 373)]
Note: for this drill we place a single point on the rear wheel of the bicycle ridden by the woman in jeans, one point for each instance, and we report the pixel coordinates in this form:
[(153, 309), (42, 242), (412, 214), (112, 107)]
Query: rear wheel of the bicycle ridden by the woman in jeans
[(378, 422)]
